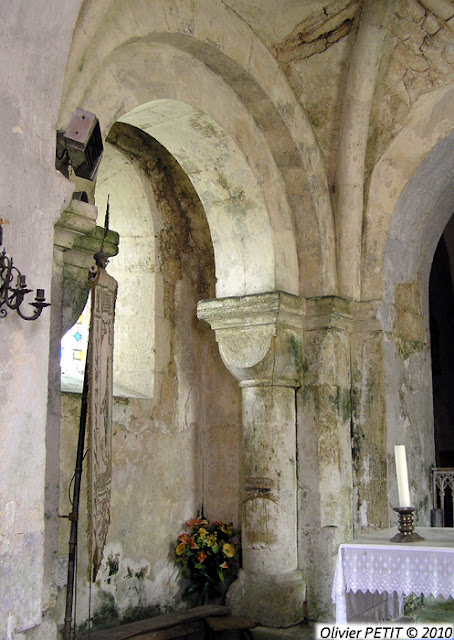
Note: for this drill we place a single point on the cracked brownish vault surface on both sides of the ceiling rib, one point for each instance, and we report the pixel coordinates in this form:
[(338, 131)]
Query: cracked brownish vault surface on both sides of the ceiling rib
[(314, 55)]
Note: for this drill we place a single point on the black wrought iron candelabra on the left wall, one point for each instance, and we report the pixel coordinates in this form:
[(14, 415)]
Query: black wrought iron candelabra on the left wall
[(12, 296)]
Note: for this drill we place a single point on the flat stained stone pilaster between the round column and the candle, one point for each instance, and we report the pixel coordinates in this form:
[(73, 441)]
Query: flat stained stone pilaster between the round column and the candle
[(324, 447)]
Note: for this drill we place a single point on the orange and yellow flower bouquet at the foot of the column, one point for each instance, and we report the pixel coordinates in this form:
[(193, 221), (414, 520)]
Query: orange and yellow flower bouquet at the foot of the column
[(208, 553)]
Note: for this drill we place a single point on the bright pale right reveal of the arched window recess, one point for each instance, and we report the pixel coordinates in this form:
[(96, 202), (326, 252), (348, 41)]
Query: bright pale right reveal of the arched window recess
[(135, 266)]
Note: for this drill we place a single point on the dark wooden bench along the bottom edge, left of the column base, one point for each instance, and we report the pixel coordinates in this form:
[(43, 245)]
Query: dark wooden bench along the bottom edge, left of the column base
[(184, 625)]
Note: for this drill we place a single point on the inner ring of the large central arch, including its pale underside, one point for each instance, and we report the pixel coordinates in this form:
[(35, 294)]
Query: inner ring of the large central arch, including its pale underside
[(260, 244)]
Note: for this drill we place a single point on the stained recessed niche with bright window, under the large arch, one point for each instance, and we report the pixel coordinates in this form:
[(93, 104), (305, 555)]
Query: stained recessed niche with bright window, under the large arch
[(175, 437)]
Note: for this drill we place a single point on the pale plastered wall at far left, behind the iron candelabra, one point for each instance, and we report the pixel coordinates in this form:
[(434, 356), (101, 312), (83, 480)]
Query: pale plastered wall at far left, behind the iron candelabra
[(32, 196)]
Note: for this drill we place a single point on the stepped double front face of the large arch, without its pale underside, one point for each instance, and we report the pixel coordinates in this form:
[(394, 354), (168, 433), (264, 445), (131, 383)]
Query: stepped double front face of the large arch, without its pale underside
[(122, 58)]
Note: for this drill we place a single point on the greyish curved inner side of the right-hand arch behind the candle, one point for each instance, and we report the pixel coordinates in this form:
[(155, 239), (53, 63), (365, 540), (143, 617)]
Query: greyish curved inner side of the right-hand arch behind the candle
[(419, 218)]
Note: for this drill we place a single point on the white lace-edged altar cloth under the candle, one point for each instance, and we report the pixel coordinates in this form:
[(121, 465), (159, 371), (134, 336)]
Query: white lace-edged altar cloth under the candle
[(373, 564)]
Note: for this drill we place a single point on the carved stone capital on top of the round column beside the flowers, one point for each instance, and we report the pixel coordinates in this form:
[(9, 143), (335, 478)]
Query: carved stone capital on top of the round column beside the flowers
[(259, 336)]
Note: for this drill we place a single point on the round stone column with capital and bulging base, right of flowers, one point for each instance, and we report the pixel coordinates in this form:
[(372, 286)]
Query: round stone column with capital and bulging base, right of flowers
[(260, 342)]
